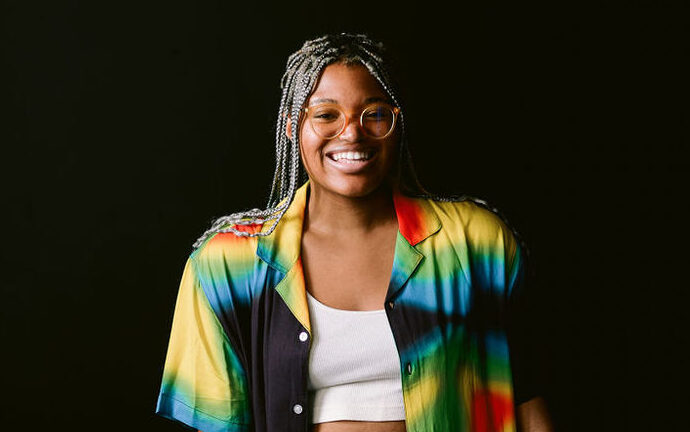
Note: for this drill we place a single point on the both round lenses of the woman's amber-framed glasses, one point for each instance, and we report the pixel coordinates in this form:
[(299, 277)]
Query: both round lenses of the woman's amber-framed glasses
[(376, 121)]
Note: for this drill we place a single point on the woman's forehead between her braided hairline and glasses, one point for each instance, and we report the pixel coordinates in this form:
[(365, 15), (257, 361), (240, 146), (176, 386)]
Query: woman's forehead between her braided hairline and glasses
[(347, 84)]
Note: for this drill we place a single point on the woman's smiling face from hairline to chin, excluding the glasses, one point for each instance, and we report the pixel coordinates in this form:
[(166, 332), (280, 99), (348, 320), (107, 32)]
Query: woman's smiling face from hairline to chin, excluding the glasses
[(352, 88)]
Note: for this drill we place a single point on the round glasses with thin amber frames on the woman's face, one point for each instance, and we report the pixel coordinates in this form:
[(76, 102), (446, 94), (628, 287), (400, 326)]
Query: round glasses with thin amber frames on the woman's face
[(329, 120)]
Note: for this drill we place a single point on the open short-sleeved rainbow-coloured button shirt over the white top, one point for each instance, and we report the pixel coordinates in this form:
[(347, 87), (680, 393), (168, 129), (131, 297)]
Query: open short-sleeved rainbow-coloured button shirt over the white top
[(240, 339)]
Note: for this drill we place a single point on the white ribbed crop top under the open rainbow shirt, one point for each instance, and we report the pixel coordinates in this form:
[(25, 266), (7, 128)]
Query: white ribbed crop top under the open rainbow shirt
[(354, 367)]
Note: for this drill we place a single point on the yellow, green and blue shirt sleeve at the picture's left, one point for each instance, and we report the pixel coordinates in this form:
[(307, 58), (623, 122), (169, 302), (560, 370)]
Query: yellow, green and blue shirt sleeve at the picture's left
[(204, 385)]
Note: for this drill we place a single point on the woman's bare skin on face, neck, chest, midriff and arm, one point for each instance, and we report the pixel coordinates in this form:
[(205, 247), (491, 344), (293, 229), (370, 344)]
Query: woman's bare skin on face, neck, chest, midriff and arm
[(350, 226)]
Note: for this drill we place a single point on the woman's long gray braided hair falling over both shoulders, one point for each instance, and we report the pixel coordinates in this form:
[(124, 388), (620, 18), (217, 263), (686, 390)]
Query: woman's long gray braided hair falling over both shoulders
[(302, 71)]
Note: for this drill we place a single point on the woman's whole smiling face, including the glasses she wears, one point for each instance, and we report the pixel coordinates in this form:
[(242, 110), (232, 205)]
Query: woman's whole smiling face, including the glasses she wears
[(342, 156)]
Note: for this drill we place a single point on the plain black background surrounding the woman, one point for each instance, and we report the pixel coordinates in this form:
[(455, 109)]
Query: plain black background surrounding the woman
[(131, 125)]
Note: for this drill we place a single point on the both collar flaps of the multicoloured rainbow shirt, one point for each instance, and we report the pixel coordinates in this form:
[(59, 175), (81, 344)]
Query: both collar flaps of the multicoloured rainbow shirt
[(281, 249)]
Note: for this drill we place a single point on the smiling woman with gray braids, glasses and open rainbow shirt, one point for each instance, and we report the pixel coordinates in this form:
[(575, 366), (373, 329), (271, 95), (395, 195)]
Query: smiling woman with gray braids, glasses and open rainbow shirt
[(355, 301)]
